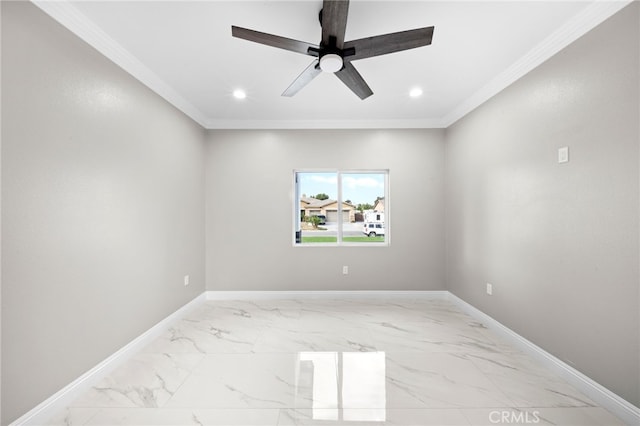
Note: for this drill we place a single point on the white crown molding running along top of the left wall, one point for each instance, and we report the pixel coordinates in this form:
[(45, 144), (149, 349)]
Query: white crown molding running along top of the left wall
[(76, 22)]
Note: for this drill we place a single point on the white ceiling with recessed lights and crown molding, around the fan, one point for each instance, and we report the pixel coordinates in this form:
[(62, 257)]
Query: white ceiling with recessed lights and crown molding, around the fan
[(184, 51)]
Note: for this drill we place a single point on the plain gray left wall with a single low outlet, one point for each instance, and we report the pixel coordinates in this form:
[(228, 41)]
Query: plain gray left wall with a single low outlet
[(103, 208)]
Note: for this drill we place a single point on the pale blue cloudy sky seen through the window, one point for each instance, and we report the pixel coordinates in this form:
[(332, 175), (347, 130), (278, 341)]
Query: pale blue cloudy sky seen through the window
[(359, 188)]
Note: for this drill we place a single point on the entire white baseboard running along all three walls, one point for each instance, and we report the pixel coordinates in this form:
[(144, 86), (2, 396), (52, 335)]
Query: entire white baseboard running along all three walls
[(598, 393)]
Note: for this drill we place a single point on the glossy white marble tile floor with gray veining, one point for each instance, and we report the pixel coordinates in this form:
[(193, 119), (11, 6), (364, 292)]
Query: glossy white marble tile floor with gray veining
[(331, 362)]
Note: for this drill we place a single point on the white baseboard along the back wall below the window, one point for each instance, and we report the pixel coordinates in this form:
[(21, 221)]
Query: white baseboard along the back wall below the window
[(356, 294)]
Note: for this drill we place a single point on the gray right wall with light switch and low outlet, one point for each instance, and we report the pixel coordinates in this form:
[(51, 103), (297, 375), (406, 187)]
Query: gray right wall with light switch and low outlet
[(559, 242)]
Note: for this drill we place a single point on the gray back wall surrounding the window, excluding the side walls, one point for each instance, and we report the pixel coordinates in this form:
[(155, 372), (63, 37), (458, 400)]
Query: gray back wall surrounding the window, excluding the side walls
[(250, 210)]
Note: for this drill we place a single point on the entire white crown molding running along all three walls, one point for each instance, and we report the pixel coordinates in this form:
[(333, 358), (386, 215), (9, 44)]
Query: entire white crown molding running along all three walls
[(71, 18)]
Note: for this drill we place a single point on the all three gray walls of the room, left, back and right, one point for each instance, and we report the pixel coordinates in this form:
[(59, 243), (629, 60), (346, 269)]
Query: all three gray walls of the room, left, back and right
[(103, 194)]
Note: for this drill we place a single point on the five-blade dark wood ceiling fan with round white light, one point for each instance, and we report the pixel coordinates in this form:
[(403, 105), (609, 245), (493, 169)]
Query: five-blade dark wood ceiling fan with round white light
[(334, 54)]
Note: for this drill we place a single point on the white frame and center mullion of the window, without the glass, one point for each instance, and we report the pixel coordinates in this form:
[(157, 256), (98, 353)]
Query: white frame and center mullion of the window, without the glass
[(340, 243)]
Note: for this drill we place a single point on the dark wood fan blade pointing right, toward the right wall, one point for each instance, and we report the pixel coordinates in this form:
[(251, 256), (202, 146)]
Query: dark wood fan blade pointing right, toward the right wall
[(389, 43)]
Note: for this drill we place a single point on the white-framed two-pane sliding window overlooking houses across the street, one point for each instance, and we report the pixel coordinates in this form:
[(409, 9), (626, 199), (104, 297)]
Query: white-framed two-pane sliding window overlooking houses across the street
[(341, 207)]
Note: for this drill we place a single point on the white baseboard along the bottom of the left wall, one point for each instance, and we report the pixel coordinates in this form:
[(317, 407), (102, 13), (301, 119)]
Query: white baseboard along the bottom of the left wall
[(61, 399)]
